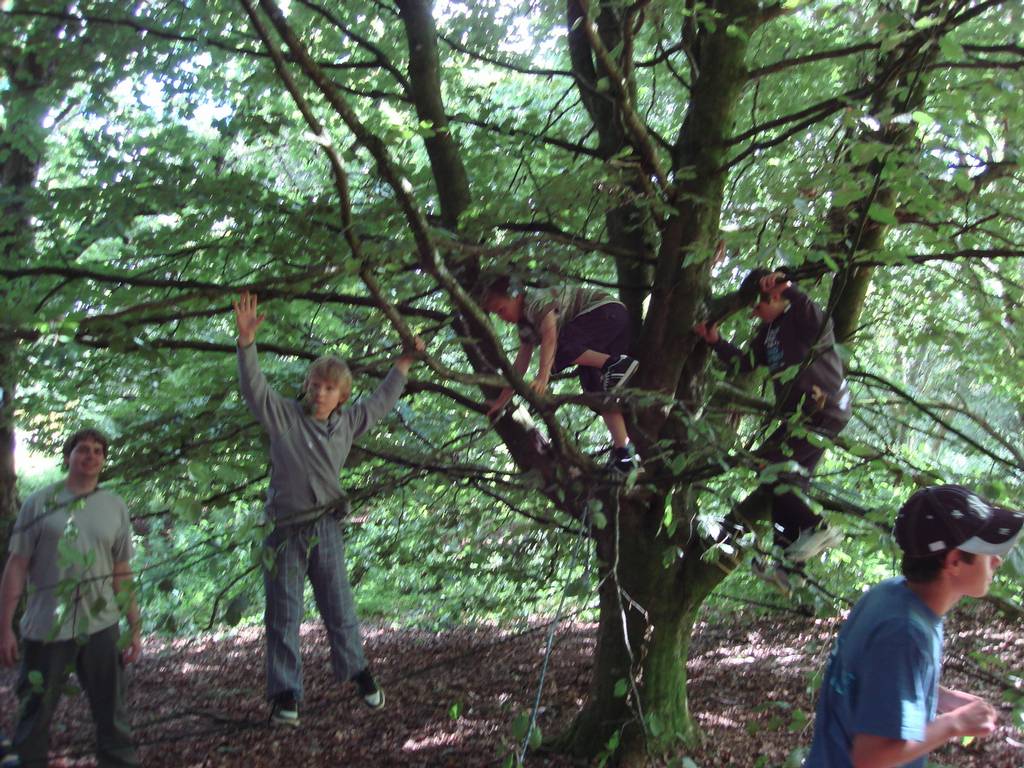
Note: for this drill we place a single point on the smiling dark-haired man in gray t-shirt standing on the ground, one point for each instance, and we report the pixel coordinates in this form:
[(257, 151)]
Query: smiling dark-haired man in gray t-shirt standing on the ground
[(72, 549)]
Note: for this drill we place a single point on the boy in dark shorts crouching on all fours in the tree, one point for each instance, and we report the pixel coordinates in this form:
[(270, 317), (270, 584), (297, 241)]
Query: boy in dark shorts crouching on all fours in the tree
[(574, 326)]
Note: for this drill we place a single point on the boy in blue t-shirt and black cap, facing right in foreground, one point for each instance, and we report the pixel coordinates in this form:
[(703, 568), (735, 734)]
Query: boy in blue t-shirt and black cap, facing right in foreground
[(881, 703)]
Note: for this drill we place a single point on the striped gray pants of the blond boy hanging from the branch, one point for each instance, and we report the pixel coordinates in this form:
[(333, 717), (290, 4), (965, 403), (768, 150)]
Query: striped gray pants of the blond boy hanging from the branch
[(317, 549)]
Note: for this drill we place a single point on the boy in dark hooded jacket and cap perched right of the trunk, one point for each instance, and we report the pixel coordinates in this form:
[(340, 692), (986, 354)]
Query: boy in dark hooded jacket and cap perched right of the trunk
[(794, 332)]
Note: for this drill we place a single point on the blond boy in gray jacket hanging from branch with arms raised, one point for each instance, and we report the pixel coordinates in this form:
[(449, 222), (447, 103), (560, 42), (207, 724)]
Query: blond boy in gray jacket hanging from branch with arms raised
[(310, 443)]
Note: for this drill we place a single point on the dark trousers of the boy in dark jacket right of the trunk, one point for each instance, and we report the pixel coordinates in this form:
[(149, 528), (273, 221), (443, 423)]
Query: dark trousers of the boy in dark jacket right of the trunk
[(790, 515)]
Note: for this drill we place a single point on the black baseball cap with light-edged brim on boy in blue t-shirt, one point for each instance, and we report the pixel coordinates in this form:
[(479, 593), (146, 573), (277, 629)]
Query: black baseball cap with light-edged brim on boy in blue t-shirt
[(940, 519)]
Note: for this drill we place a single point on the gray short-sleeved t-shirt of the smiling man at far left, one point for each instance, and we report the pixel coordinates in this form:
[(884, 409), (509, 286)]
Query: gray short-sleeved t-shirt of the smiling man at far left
[(72, 543)]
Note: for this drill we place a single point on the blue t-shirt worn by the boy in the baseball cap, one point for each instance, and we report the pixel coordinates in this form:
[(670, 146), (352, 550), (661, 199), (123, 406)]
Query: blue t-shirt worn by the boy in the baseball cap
[(883, 677)]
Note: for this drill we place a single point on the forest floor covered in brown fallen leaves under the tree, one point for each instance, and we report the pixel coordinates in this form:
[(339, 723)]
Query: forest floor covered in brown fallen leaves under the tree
[(452, 698)]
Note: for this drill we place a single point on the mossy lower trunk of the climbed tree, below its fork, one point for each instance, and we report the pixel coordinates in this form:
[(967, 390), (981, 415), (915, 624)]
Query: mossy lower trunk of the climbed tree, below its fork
[(638, 697)]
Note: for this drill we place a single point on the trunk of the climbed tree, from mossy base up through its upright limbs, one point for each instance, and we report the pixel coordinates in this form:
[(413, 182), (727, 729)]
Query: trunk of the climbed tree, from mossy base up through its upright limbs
[(649, 607)]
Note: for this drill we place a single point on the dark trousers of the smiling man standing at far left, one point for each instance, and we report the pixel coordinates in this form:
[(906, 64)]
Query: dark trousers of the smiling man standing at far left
[(101, 673)]
